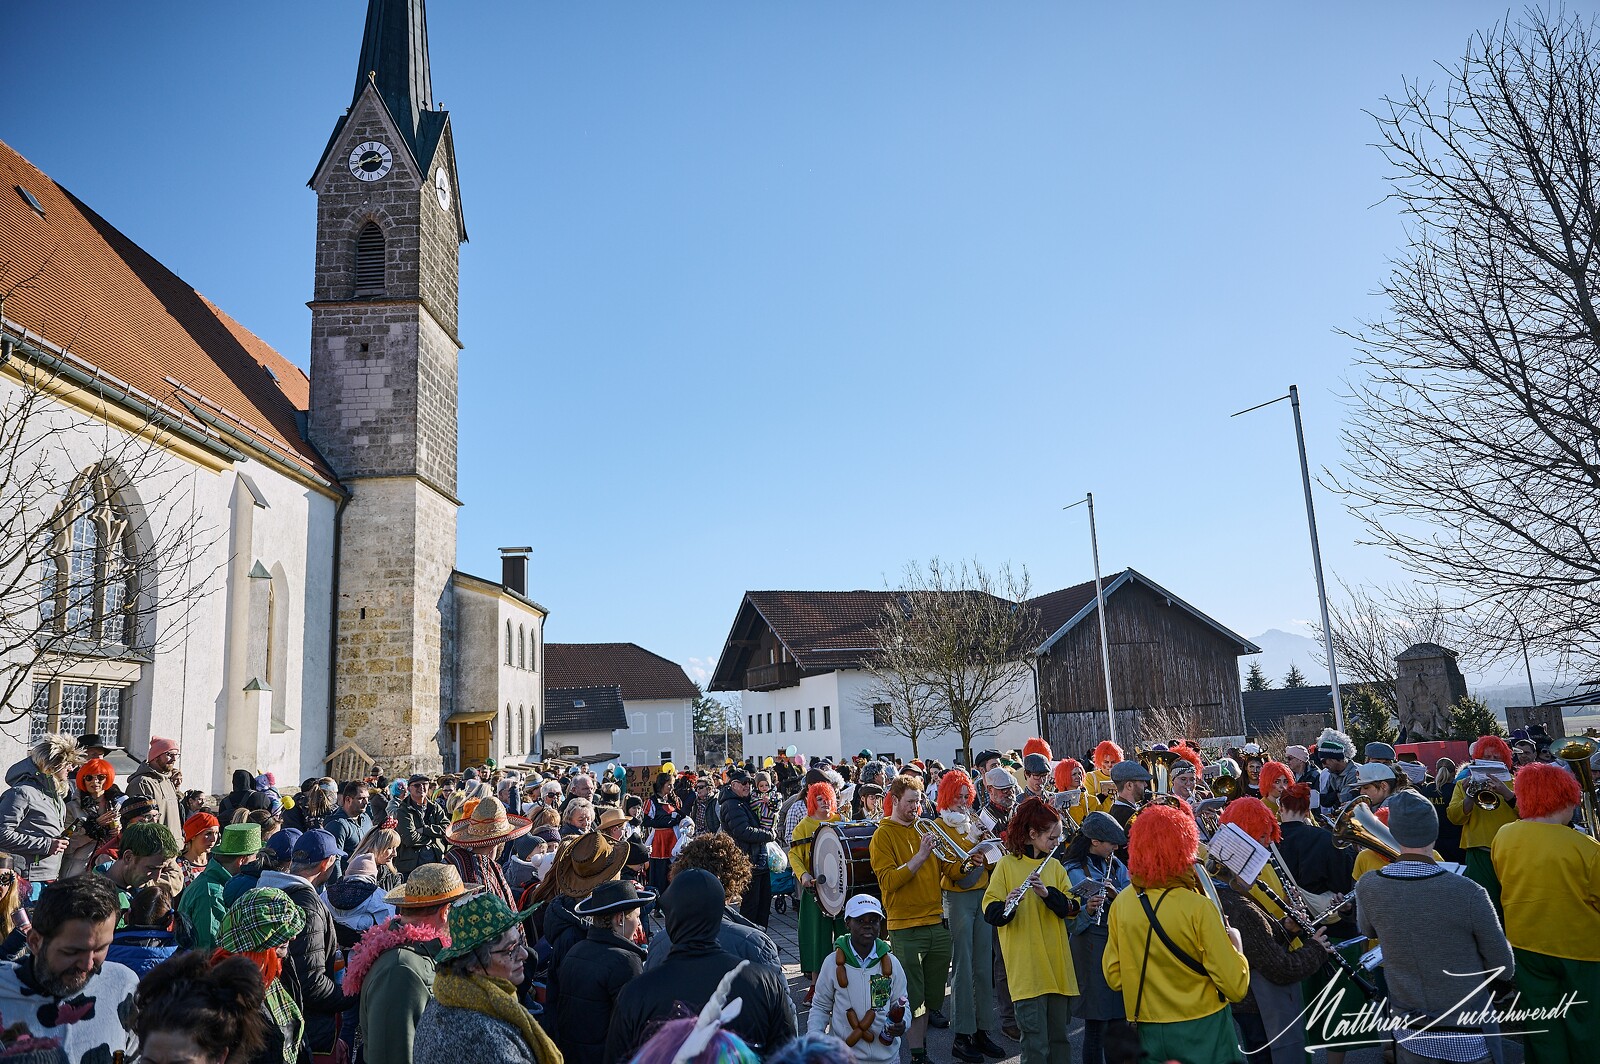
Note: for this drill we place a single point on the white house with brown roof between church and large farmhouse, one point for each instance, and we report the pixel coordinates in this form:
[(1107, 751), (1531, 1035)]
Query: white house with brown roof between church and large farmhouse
[(657, 721)]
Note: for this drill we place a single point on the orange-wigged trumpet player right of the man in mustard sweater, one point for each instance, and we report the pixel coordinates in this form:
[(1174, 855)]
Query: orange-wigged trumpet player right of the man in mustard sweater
[(972, 938)]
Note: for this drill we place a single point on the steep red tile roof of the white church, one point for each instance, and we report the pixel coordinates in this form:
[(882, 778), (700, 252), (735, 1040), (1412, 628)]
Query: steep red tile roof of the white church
[(111, 305)]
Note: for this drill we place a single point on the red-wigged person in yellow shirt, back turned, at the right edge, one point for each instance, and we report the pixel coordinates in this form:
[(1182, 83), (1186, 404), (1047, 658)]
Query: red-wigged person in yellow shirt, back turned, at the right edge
[(1551, 889)]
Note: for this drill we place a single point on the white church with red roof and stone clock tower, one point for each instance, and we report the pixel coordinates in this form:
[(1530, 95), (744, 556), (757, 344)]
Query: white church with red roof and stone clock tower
[(204, 543)]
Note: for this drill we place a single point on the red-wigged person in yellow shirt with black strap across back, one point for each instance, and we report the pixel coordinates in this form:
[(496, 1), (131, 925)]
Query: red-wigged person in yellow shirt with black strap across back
[(1180, 1009)]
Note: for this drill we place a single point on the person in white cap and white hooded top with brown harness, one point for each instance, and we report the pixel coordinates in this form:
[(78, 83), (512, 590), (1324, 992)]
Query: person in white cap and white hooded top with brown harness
[(862, 988)]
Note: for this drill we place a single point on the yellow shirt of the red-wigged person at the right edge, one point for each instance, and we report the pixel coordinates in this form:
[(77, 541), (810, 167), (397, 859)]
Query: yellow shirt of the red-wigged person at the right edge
[(1551, 889)]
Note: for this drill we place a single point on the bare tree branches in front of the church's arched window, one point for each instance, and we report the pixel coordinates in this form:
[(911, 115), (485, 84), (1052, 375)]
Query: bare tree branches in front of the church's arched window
[(86, 575)]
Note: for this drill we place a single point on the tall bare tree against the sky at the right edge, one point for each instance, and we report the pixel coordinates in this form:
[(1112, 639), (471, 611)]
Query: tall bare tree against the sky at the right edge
[(1474, 447)]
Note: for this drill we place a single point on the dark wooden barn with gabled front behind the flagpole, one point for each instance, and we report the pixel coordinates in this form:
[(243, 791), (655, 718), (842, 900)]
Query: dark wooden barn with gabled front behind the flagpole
[(1166, 657)]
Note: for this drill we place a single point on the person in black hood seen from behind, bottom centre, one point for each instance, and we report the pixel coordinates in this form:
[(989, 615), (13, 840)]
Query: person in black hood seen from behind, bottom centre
[(690, 975)]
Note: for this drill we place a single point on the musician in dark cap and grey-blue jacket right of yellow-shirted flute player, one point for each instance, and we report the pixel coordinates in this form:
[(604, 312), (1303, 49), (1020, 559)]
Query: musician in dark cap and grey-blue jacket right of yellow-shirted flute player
[(1097, 878)]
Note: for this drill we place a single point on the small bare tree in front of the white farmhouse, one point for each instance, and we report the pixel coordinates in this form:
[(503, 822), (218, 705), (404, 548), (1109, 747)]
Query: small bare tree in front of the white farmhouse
[(954, 644)]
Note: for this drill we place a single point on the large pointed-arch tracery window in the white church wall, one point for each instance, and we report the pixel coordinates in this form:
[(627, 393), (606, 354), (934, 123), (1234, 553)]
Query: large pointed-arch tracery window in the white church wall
[(87, 586)]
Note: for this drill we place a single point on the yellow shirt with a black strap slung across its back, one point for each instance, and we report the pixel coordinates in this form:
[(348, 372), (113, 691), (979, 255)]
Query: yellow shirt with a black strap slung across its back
[(1172, 991)]
